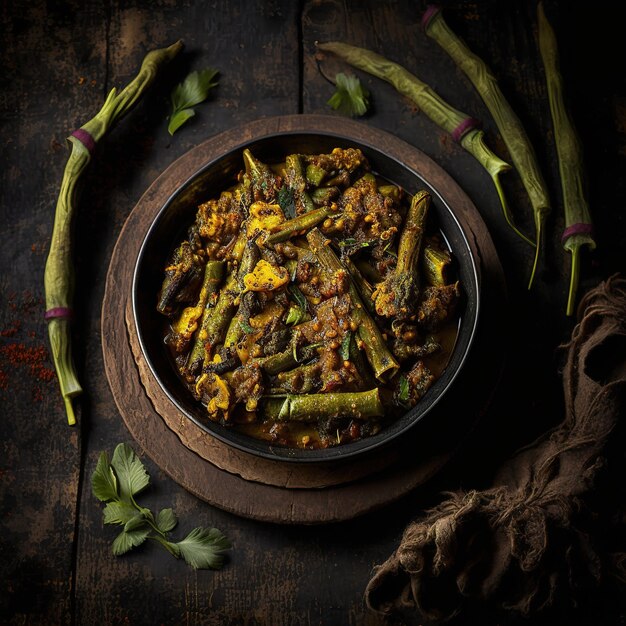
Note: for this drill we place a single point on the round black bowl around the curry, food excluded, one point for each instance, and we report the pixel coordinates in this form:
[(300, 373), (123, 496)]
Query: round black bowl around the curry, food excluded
[(307, 134)]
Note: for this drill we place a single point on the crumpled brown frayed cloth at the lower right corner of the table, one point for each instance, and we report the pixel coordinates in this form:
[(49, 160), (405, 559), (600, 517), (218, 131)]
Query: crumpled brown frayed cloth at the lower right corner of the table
[(526, 543)]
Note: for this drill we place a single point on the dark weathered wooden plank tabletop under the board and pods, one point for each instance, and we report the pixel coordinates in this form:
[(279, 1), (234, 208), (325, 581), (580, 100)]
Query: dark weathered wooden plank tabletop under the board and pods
[(58, 60)]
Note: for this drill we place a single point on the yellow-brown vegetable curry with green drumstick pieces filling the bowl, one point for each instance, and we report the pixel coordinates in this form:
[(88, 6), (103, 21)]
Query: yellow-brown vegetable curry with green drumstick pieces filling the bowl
[(311, 303)]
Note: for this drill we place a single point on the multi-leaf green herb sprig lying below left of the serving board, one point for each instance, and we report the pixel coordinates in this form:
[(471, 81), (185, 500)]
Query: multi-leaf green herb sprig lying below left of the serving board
[(116, 483)]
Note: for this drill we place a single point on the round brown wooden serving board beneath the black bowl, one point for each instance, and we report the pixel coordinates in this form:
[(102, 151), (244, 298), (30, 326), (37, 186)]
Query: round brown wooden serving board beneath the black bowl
[(276, 490)]
